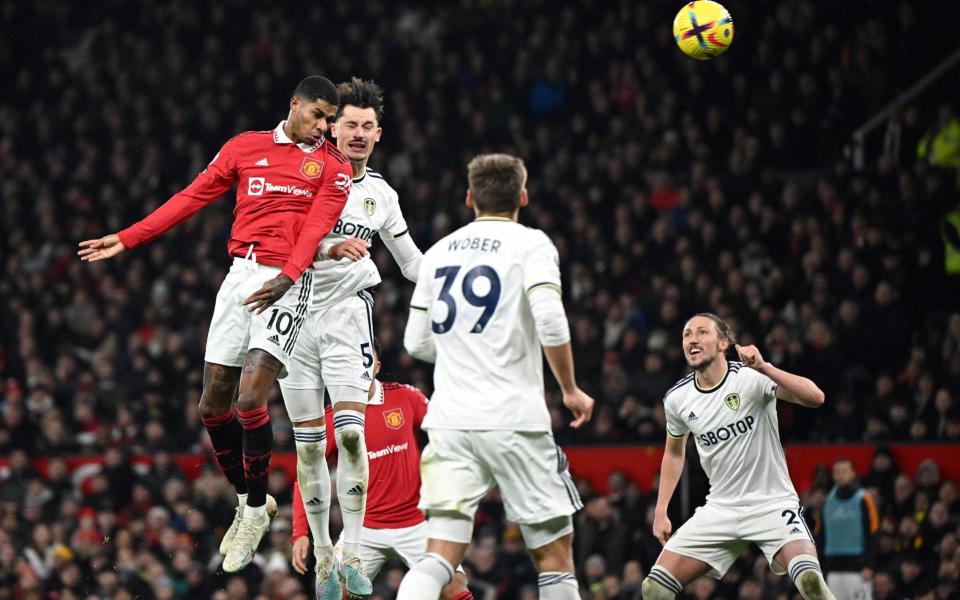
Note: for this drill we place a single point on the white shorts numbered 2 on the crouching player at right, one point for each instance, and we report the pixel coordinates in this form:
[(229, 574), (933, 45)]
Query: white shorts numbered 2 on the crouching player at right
[(717, 536)]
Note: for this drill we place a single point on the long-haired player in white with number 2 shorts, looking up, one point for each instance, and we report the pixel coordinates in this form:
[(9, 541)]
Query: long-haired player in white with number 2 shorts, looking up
[(730, 408)]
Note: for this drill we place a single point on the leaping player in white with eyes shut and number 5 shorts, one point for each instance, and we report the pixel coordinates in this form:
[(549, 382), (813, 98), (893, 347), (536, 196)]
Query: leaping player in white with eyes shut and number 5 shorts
[(339, 332)]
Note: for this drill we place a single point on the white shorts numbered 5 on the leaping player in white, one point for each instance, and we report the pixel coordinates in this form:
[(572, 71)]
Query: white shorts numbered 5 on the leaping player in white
[(335, 347)]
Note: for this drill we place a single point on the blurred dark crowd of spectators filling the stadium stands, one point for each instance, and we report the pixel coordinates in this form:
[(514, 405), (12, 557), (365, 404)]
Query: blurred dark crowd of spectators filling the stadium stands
[(669, 186)]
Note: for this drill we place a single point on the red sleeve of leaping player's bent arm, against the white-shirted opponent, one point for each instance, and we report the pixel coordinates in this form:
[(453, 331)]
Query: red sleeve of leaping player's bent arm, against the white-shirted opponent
[(323, 215)]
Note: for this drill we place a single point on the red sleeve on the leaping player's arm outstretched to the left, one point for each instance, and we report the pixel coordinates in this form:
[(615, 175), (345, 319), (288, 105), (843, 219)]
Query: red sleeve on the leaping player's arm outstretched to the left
[(213, 182)]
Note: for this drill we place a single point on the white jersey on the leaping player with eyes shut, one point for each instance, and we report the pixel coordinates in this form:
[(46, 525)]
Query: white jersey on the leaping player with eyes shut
[(372, 207)]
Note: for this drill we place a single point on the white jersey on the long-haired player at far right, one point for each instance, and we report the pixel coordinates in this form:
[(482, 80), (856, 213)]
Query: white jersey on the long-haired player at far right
[(738, 439)]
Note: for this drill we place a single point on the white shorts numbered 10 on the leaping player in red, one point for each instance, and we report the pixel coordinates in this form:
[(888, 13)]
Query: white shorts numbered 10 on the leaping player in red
[(234, 329)]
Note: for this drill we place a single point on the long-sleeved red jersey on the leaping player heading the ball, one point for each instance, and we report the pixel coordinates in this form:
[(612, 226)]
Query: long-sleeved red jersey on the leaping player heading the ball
[(288, 198)]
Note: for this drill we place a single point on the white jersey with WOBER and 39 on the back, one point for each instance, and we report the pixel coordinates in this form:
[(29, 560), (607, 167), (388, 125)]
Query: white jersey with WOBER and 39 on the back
[(473, 283)]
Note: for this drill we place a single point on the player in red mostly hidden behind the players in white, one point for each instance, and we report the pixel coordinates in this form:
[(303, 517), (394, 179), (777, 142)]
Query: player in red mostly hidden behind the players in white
[(393, 525)]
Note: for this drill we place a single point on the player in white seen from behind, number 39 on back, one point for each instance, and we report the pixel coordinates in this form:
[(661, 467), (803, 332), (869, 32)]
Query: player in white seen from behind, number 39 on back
[(487, 299)]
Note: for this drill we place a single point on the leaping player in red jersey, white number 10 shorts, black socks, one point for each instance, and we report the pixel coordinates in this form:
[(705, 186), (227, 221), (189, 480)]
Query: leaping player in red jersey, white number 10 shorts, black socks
[(291, 186)]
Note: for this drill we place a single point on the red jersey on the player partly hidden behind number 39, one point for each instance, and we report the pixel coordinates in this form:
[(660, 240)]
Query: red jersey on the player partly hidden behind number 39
[(393, 416)]
